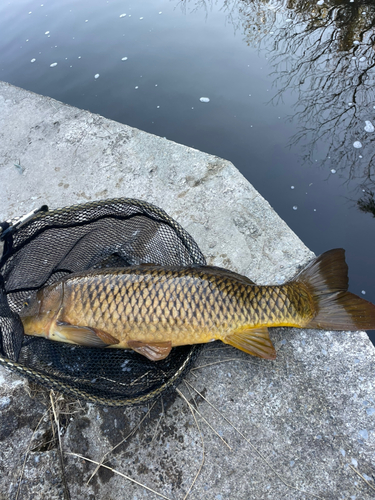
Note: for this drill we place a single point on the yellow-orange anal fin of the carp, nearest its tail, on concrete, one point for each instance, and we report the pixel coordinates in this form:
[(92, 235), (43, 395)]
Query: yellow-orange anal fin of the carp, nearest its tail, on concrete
[(255, 341)]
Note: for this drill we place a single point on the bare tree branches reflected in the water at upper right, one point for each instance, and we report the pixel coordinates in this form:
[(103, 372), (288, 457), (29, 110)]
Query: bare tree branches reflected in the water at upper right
[(326, 54)]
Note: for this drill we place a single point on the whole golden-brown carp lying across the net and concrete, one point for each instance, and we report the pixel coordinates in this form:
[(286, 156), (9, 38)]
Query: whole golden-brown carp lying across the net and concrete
[(150, 308)]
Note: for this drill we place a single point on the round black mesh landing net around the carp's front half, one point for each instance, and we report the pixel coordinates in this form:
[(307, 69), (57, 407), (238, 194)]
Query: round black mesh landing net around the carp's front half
[(110, 233)]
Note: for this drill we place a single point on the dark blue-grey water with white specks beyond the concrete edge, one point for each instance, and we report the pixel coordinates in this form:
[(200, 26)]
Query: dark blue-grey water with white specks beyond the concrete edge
[(286, 94)]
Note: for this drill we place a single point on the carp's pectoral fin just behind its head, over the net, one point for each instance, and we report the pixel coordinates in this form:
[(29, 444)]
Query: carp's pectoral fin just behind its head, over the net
[(81, 335)]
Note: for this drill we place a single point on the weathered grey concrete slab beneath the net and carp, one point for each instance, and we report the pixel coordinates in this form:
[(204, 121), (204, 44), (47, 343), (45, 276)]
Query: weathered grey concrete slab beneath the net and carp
[(308, 417)]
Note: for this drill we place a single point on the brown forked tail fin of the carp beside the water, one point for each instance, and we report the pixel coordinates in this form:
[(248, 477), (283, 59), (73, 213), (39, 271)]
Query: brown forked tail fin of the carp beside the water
[(326, 278)]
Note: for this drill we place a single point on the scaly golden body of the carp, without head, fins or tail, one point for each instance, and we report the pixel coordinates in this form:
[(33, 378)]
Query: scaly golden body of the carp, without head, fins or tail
[(184, 306)]
